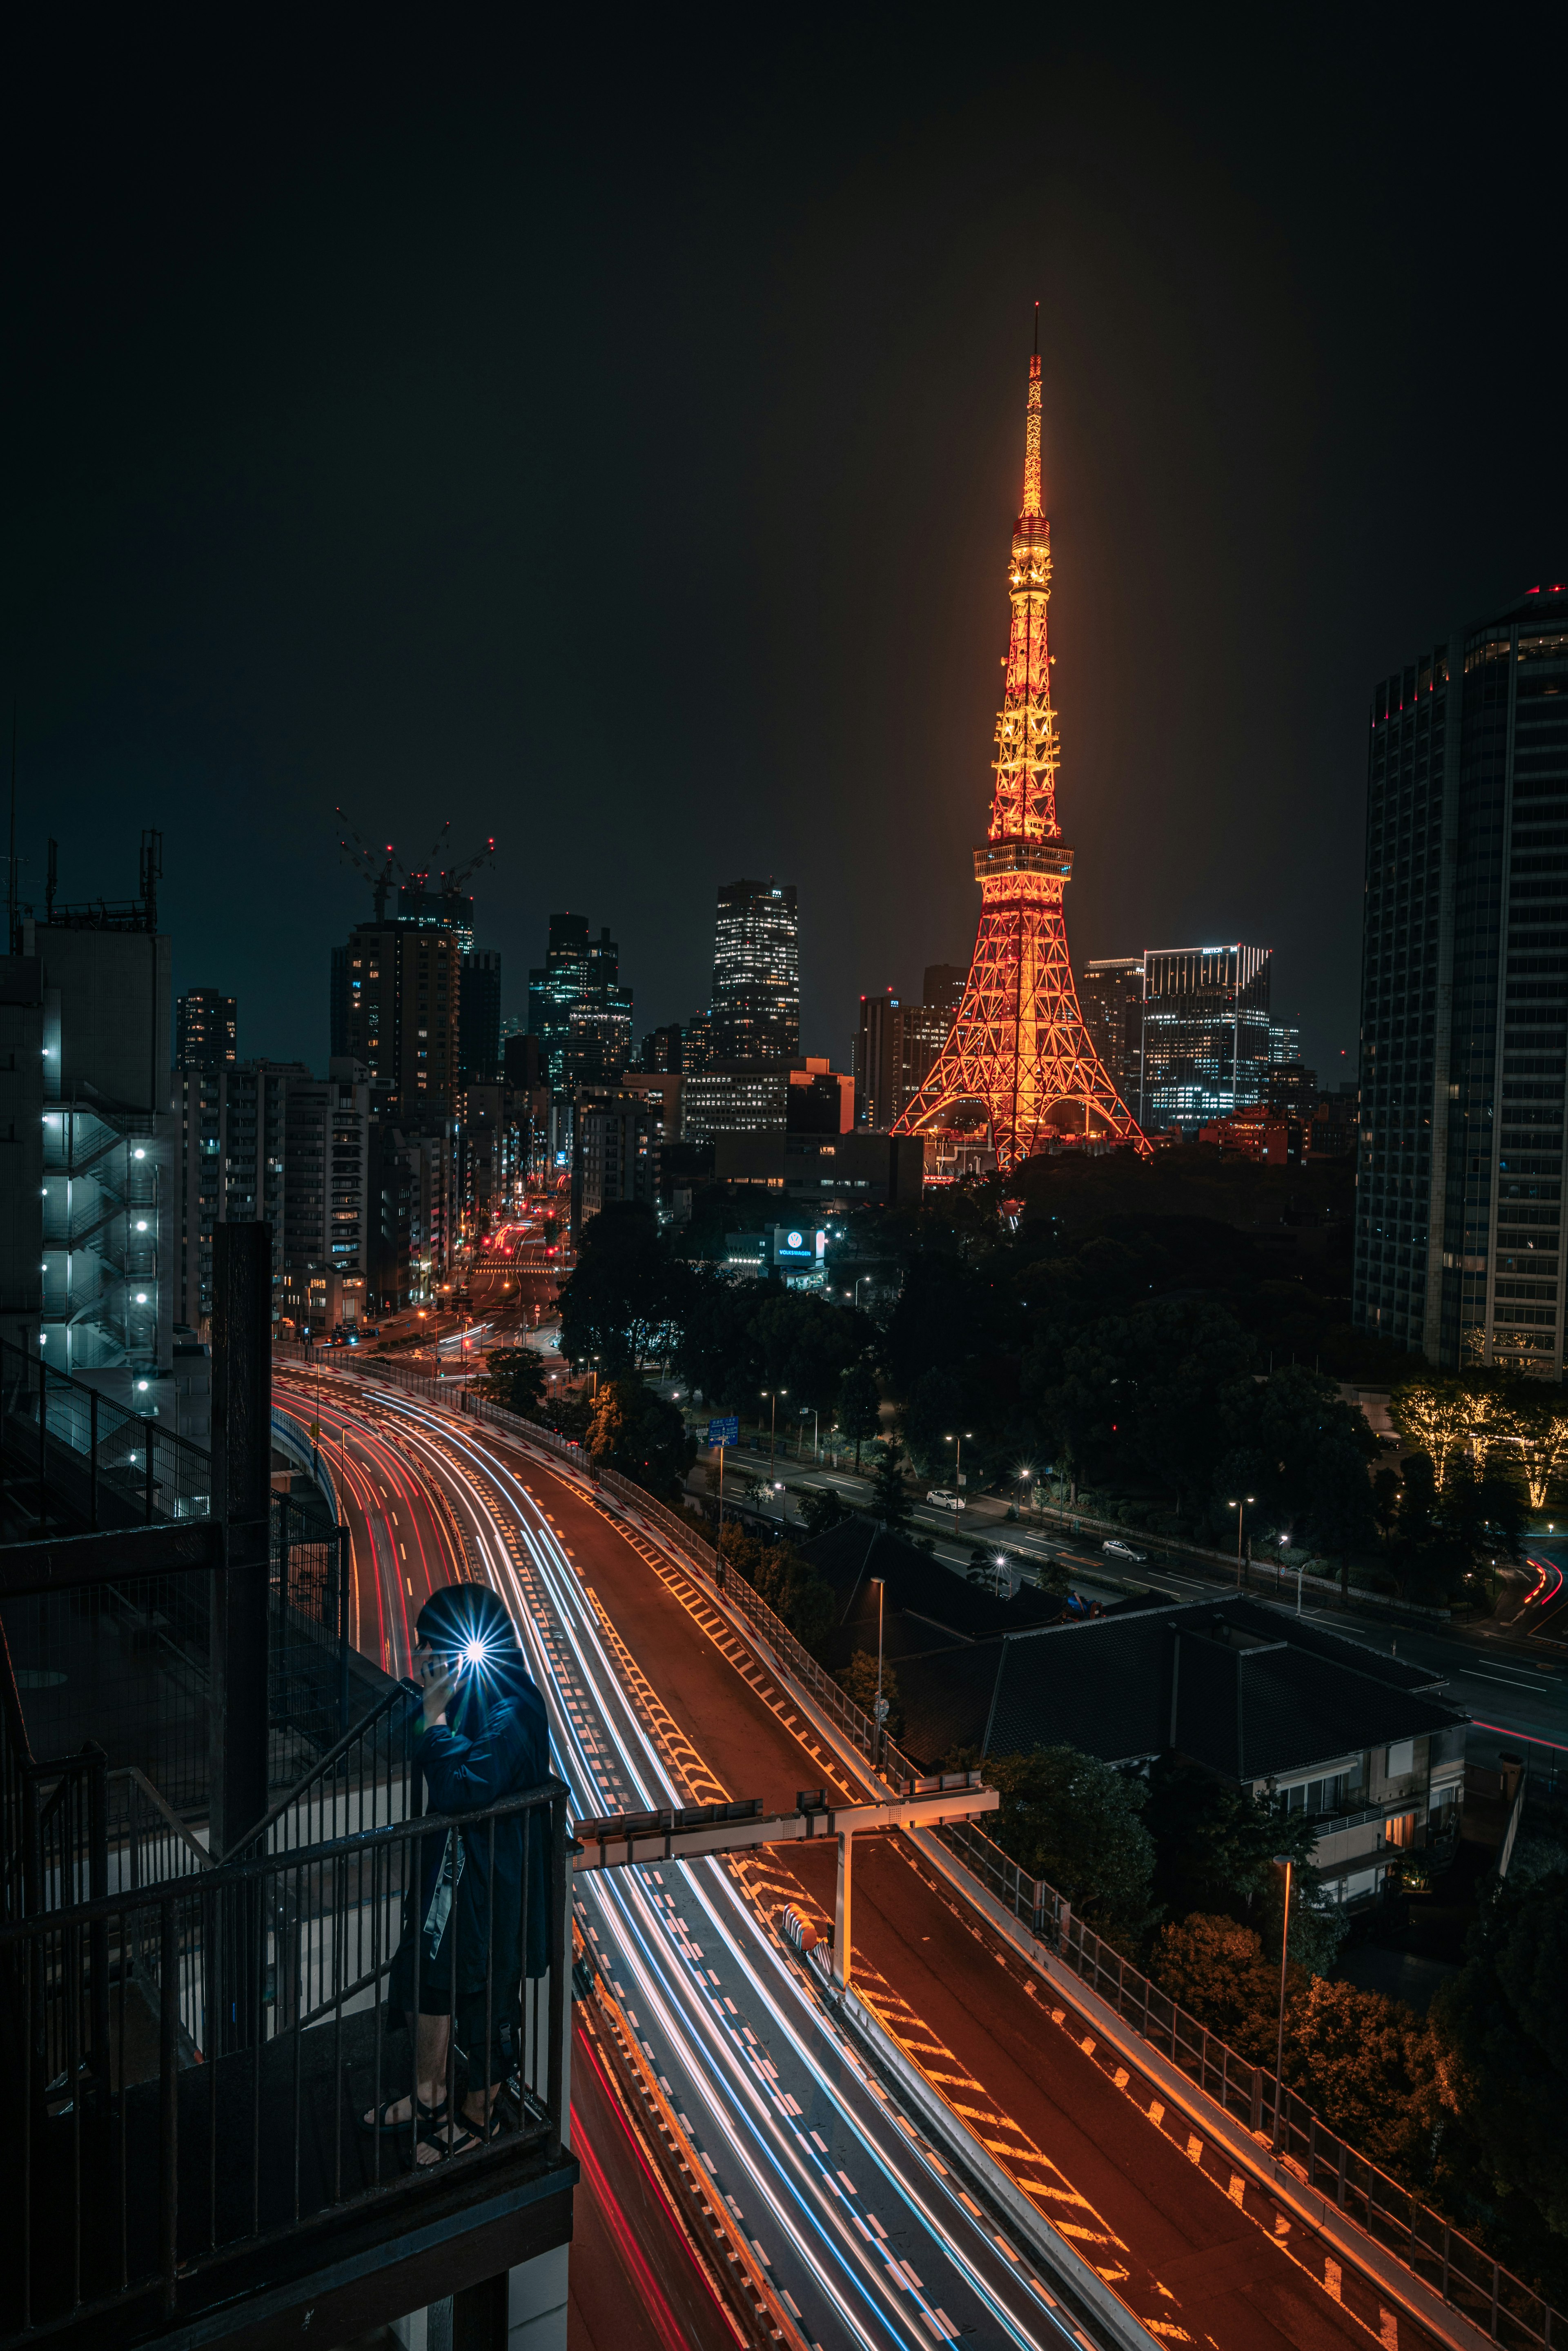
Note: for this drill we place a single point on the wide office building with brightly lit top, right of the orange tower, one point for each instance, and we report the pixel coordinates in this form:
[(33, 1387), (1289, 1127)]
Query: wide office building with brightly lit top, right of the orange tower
[(1205, 1033)]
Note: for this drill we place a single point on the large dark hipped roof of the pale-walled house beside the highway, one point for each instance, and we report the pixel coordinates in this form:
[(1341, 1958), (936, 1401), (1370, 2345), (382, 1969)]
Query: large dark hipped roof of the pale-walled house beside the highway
[(1233, 1684)]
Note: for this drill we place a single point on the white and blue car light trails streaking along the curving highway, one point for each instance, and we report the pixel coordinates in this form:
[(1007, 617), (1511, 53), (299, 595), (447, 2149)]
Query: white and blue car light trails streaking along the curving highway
[(793, 2129)]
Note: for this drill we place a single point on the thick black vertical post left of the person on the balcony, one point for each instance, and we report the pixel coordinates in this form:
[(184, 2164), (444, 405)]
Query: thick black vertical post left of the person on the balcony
[(241, 1501)]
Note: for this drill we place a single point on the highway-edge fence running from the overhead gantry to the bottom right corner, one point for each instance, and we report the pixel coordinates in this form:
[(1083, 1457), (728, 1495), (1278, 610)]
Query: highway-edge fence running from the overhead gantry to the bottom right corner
[(1393, 2216)]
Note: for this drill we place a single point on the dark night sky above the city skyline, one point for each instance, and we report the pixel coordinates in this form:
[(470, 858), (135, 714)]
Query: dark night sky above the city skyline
[(610, 438)]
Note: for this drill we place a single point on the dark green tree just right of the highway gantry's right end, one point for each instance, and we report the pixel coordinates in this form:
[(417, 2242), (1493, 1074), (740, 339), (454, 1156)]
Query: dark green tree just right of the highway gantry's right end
[(1078, 1823)]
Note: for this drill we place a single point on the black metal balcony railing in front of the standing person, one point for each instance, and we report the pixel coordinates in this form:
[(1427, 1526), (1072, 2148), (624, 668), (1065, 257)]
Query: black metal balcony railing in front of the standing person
[(194, 2058)]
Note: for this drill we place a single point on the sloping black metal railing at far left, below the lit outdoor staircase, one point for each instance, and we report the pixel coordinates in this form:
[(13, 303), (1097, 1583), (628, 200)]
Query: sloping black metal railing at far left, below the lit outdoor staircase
[(76, 1454)]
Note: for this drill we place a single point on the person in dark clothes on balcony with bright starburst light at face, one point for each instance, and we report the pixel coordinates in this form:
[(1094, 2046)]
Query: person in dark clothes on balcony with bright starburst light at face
[(478, 1915)]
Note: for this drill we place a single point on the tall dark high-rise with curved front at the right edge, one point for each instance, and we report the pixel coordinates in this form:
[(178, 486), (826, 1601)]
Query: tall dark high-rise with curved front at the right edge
[(1466, 996)]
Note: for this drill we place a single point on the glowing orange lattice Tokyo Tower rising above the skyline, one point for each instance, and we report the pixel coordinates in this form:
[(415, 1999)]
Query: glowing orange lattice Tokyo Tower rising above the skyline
[(1019, 1057)]
